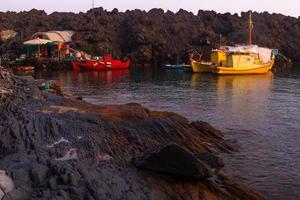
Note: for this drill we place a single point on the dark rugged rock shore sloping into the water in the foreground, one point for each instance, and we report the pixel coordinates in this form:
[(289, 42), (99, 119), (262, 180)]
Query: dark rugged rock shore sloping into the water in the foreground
[(56, 147)]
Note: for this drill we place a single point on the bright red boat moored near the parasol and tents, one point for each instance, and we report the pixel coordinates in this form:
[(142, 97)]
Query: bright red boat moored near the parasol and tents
[(106, 64)]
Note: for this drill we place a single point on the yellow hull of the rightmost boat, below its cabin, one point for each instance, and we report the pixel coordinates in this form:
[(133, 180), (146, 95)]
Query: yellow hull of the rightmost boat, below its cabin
[(258, 69)]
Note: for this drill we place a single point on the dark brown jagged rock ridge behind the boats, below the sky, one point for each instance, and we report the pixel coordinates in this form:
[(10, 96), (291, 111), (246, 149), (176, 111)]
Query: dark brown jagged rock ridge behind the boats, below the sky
[(156, 36)]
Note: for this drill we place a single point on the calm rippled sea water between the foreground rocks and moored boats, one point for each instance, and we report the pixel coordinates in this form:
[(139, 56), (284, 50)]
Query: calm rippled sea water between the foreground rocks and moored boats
[(262, 112)]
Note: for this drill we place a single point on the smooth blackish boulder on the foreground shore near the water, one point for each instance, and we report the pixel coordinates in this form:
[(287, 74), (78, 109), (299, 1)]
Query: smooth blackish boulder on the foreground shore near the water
[(173, 160)]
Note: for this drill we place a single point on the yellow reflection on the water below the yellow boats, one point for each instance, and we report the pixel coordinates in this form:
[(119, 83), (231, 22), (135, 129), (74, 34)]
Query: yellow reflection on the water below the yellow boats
[(240, 100)]
